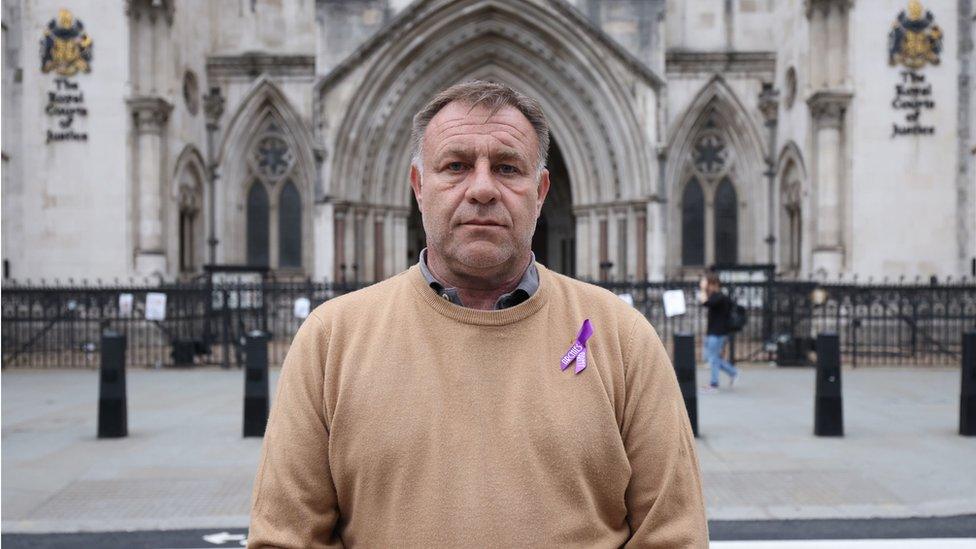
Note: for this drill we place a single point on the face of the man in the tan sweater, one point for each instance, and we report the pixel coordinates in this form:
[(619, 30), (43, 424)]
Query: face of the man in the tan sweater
[(479, 192)]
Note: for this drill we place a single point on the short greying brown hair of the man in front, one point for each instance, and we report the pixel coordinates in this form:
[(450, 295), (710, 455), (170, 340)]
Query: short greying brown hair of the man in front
[(491, 96)]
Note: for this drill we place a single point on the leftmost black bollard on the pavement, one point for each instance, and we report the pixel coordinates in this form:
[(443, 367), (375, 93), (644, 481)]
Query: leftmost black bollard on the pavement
[(112, 412)]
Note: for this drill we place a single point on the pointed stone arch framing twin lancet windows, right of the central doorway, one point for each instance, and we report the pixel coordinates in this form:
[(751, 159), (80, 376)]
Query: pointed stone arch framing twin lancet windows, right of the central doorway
[(718, 112)]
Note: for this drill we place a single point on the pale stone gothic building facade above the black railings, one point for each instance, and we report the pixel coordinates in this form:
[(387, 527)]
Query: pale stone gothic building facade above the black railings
[(826, 137)]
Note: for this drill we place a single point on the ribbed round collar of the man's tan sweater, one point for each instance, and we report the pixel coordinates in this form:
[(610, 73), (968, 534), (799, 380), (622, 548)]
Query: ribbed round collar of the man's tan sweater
[(478, 317)]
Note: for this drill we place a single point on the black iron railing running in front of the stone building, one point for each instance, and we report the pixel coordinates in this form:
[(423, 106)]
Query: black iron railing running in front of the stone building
[(60, 326)]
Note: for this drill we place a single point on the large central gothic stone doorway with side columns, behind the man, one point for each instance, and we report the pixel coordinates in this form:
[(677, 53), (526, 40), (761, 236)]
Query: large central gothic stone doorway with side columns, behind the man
[(598, 101)]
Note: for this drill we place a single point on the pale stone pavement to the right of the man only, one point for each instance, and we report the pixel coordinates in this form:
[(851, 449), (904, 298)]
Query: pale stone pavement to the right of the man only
[(901, 455)]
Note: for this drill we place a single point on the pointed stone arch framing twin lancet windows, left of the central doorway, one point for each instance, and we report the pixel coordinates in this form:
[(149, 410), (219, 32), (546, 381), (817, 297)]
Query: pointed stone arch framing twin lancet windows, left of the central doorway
[(262, 107)]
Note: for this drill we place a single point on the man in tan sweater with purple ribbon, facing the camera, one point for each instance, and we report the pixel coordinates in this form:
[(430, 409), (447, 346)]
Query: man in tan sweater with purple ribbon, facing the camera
[(478, 399)]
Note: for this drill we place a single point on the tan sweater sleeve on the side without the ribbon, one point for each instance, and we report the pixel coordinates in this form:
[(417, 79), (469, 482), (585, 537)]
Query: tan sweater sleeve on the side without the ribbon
[(294, 503)]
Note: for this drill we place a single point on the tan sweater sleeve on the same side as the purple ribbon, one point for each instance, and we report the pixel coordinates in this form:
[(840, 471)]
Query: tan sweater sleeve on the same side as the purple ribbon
[(665, 506)]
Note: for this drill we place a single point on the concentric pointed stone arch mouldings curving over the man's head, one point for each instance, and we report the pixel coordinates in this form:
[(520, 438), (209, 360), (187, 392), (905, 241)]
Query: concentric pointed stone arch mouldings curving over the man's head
[(437, 44)]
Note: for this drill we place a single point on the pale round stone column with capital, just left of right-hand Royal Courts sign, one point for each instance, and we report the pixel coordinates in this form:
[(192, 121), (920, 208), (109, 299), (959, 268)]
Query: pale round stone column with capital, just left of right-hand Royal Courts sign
[(827, 110)]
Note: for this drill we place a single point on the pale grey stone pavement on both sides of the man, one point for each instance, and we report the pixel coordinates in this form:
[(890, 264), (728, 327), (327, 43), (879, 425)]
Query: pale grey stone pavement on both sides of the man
[(185, 464)]
